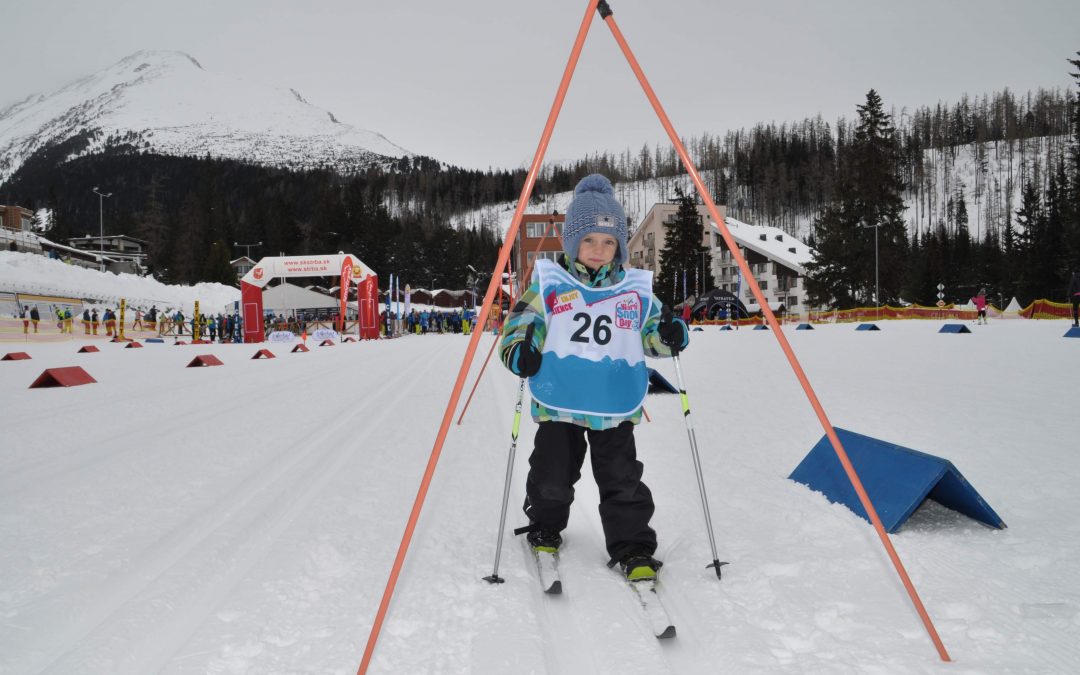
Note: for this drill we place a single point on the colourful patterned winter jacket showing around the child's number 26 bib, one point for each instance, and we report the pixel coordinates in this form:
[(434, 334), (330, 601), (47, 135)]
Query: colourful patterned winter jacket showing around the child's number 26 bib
[(530, 310)]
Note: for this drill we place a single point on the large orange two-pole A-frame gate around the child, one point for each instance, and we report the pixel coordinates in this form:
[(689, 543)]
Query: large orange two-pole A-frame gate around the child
[(605, 12)]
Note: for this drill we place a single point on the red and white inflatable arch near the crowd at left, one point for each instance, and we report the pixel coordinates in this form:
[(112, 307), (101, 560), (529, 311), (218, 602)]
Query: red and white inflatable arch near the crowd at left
[(352, 269)]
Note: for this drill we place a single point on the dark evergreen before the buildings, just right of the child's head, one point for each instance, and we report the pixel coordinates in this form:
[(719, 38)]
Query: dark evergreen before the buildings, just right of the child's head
[(682, 253)]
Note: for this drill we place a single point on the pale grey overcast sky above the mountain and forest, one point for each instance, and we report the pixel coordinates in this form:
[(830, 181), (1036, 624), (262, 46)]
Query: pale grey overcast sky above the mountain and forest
[(471, 82)]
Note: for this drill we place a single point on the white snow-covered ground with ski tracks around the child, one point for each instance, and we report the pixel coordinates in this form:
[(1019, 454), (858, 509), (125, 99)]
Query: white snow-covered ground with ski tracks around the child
[(244, 519)]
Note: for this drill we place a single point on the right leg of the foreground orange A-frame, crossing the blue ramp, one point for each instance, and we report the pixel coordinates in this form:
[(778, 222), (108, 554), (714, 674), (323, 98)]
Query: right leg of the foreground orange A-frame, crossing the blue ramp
[(785, 345)]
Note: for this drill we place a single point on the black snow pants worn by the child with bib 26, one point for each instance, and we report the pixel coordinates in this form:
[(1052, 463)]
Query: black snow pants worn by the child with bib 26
[(626, 503)]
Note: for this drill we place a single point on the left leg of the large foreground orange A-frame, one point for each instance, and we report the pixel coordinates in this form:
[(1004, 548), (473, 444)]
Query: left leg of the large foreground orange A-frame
[(475, 341)]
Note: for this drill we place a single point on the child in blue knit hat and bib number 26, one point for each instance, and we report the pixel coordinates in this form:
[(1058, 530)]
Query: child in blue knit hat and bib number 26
[(592, 323)]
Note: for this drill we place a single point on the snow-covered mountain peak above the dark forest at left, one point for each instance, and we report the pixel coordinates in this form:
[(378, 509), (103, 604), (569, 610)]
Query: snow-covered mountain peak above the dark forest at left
[(168, 103)]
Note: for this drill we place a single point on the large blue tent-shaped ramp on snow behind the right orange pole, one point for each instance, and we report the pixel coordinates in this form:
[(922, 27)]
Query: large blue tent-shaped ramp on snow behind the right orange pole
[(897, 480)]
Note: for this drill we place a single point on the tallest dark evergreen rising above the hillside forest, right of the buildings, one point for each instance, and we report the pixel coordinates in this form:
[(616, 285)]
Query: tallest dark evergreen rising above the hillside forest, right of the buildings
[(869, 205)]
